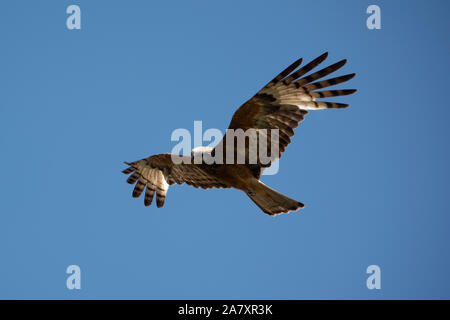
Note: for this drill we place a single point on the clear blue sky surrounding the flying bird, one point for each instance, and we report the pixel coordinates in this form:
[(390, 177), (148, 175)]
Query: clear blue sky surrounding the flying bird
[(75, 104)]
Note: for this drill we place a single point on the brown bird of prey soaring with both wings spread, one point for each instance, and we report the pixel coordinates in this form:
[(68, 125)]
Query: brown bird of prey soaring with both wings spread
[(280, 105)]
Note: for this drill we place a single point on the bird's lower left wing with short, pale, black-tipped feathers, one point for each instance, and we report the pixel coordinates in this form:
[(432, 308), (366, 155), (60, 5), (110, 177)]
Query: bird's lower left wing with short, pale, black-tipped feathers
[(157, 172)]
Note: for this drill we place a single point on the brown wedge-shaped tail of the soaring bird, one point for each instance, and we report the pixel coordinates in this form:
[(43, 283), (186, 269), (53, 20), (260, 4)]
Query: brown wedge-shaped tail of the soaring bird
[(271, 201)]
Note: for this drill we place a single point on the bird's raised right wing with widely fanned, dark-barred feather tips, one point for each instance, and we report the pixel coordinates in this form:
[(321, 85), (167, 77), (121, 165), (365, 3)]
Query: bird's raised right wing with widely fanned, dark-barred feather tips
[(285, 101)]
